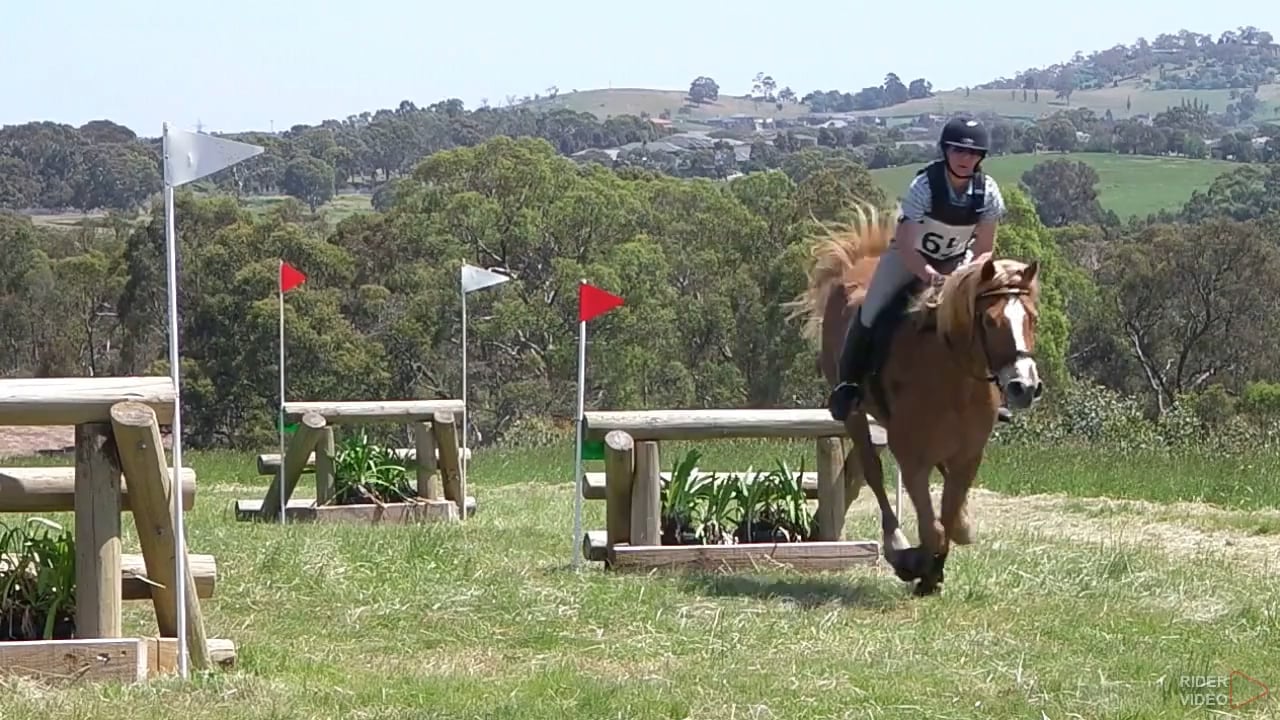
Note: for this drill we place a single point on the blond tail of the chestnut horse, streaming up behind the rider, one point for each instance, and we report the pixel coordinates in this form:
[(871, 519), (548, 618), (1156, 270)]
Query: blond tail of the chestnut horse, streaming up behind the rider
[(835, 258)]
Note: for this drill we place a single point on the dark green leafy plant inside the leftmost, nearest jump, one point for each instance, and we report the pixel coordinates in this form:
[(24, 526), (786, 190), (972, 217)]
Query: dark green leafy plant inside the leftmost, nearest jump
[(38, 582)]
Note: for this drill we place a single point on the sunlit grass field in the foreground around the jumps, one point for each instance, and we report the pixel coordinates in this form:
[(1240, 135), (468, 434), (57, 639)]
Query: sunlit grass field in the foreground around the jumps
[(1069, 605)]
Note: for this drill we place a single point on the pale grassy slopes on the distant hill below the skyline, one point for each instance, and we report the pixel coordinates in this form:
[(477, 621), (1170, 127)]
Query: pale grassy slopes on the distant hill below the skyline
[(634, 101)]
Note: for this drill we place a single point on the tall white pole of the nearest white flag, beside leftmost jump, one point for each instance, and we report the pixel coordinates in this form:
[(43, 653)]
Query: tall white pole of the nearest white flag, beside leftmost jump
[(176, 431)]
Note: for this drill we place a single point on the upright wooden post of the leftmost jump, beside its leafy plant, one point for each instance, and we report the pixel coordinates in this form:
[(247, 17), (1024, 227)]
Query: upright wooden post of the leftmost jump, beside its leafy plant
[(99, 598)]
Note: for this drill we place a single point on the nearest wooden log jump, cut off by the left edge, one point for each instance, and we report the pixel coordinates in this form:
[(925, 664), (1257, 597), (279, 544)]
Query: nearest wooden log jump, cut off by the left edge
[(120, 468)]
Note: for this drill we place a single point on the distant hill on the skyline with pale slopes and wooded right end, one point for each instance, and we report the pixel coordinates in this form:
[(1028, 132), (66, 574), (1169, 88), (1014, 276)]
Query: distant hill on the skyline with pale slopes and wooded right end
[(1235, 74)]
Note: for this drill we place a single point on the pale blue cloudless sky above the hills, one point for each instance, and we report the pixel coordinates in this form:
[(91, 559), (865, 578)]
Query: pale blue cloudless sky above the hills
[(254, 65)]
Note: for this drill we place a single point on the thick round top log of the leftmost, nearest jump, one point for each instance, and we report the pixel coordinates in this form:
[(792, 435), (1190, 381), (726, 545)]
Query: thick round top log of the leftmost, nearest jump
[(71, 402)]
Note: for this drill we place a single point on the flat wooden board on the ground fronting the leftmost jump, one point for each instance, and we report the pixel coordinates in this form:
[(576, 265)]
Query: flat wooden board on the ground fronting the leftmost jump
[(90, 660)]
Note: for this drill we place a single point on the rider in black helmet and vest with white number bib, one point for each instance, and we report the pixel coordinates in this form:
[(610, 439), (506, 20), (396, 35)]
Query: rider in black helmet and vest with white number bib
[(950, 215)]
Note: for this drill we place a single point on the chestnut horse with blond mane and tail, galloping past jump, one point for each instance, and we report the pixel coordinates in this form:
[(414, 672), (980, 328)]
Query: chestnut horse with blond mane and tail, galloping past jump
[(944, 356)]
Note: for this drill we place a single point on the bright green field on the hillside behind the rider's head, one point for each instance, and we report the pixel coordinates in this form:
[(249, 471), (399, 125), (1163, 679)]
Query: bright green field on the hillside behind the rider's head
[(1130, 185)]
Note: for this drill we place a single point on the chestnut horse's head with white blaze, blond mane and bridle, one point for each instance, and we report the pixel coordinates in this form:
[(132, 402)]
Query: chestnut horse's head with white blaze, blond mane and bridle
[(995, 307)]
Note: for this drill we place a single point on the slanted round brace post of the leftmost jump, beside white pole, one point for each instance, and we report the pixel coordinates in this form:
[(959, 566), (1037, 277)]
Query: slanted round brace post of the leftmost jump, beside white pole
[(138, 438)]
